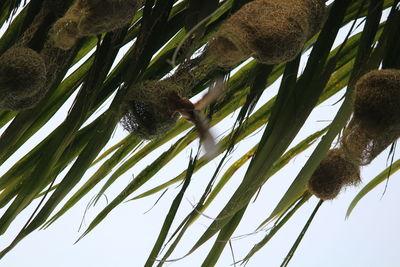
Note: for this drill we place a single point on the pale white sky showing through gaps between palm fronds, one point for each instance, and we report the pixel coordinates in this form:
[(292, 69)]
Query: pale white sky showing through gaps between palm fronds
[(368, 238)]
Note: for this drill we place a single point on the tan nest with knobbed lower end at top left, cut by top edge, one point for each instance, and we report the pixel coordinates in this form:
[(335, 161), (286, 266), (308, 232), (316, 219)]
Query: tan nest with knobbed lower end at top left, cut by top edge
[(92, 17)]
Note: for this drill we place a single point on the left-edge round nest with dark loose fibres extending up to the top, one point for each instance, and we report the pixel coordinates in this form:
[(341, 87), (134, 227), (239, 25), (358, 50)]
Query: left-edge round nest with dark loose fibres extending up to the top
[(33, 66)]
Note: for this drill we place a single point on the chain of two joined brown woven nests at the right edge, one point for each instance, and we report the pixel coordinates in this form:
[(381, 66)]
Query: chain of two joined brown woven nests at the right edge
[(374, 126)]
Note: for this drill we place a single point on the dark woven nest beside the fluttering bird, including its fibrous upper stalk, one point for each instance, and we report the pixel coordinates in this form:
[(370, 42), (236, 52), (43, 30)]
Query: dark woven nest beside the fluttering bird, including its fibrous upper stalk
[(152, 106)]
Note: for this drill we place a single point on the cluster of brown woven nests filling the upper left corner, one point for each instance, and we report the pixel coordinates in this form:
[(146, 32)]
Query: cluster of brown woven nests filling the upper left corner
[(31, 66)]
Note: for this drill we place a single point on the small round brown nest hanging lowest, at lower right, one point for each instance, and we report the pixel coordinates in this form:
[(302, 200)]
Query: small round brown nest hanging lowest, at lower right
[(335, 171)]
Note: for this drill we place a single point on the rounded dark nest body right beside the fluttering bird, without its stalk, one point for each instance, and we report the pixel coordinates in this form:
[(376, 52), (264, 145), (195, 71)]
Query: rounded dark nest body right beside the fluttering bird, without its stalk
[(148, 112)]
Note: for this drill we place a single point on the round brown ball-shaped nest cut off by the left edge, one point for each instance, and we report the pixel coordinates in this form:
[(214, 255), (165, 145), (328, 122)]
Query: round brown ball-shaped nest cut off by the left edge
[(22, 78)]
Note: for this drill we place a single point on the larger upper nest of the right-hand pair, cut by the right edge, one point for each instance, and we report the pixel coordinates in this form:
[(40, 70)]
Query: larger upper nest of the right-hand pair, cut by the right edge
[(376, 119)]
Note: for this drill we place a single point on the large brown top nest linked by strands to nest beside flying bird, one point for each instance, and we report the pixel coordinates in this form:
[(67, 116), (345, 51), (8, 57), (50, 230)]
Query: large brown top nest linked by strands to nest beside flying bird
[(270, 31)]
